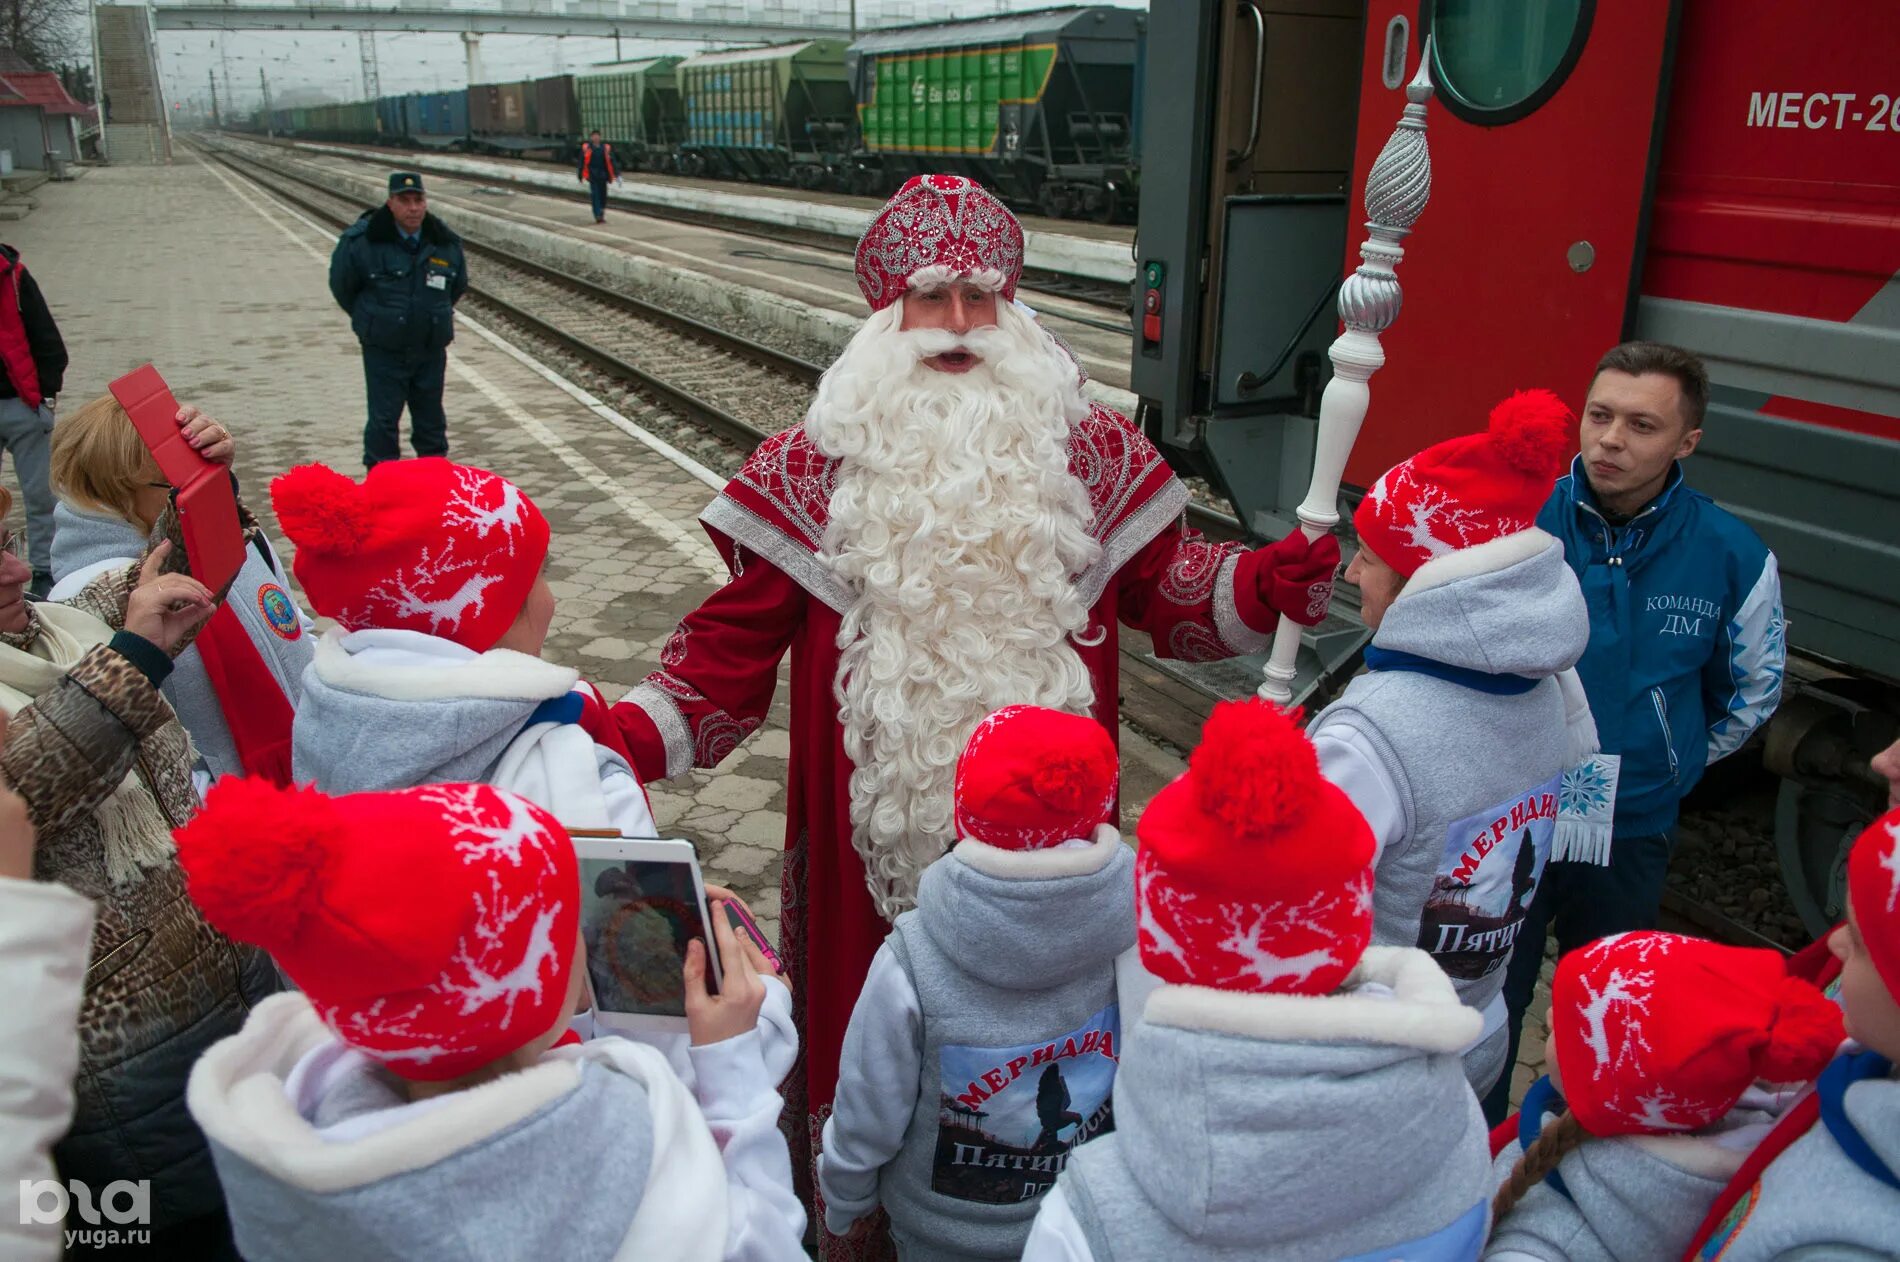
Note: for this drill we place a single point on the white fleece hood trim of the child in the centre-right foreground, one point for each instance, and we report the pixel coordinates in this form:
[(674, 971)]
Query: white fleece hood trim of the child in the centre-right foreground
[(1424, 1010)]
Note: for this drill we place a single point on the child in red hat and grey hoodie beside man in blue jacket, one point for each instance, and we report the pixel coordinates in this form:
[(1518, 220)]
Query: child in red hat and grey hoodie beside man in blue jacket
[(1454, 742)]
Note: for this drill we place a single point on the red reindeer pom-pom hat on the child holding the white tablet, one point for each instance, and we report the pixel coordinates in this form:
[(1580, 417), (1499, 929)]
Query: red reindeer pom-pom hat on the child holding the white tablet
[(432, 928)]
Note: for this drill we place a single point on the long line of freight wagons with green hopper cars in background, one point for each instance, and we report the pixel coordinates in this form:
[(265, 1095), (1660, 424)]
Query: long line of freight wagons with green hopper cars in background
[(1044, 107)]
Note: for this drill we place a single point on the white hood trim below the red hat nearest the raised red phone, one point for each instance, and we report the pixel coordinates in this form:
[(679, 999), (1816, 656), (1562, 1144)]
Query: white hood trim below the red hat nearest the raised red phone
[(408, 666)]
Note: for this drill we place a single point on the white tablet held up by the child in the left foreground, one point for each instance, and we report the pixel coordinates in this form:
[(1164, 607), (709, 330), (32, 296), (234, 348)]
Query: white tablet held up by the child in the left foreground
[(643, 902)]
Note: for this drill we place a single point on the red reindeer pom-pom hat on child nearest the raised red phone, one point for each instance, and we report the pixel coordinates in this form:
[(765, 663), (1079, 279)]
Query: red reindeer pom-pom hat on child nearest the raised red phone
[(419, 546)]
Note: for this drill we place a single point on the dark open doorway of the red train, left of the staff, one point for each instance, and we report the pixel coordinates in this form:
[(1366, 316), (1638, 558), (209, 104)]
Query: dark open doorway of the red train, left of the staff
[(1247, 143)]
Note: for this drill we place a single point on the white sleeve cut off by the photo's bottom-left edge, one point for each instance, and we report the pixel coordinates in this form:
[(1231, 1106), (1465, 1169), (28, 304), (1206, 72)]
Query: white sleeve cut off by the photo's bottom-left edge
[(47, 936)]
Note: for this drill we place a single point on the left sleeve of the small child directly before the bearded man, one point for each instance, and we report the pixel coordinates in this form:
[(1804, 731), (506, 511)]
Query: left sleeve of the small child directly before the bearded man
[(879, 1079)]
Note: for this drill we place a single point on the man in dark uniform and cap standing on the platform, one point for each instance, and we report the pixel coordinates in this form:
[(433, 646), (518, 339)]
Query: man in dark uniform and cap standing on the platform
[(400, 271)]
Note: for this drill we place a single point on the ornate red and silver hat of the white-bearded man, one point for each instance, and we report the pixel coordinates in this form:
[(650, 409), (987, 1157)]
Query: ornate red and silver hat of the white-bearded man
[(941, 227)]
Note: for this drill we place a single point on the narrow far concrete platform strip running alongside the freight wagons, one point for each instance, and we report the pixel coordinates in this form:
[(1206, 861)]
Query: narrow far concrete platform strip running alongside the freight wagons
[(1054, 246)]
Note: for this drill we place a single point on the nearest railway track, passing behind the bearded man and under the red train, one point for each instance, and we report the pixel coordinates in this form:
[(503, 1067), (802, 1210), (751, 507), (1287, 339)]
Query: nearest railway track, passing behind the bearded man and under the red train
[(736, 389)]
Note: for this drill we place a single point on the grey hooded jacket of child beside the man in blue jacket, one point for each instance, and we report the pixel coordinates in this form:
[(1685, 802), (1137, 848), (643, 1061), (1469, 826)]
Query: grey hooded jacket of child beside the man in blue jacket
[(1477, 773)]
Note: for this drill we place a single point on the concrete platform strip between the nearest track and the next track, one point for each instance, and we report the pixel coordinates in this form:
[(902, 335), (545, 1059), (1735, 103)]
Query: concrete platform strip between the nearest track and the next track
[(799, 290)]
